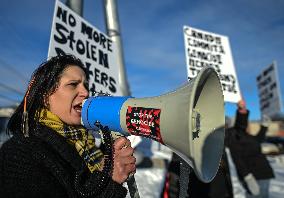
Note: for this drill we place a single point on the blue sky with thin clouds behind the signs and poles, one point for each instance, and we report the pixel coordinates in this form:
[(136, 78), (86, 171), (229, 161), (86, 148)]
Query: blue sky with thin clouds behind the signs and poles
[(152, 37)]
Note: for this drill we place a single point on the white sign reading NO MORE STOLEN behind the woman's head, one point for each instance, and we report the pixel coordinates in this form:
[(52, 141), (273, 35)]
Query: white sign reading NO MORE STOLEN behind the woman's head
[(71, 34)]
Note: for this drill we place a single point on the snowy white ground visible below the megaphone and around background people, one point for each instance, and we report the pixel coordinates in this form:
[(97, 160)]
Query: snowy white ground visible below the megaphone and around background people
[(150, 180)]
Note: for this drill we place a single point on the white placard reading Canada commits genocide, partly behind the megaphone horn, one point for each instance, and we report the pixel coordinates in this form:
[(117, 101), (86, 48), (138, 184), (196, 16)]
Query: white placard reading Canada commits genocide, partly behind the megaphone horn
[(204, 48)]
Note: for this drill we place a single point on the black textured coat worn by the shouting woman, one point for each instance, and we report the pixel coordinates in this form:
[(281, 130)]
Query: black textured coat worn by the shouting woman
[(45, 165)]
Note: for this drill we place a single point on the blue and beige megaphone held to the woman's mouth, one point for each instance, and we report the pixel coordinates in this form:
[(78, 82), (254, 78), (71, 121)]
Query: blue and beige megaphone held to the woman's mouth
[(189, 120)]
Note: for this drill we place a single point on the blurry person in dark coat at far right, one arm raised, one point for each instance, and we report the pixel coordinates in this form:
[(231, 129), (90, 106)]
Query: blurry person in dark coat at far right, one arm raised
[(253, 169)]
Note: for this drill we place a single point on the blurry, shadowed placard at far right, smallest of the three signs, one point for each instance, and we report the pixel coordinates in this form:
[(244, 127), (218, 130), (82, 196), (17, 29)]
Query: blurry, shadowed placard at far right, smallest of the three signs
[(269, 91)]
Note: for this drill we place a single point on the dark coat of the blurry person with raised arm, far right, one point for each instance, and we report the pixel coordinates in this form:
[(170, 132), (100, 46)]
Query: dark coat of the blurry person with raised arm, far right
[(246, 150)]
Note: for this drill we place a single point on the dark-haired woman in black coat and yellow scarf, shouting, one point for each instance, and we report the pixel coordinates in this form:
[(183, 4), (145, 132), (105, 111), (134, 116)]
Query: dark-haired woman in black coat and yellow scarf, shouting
[(50, 153)]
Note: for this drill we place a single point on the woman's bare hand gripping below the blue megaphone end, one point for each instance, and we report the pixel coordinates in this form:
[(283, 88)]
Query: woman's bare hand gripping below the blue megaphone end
[(123, 160)]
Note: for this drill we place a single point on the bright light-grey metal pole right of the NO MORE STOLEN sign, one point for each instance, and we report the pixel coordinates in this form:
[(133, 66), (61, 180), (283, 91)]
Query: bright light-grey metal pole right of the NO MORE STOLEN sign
[(113, 31)]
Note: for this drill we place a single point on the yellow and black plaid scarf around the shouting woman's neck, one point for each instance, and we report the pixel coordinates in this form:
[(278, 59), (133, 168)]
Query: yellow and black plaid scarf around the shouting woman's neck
[(77, 136)]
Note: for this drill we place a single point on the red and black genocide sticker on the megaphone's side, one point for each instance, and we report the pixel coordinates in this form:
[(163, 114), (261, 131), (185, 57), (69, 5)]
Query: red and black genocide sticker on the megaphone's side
[(144, 122)]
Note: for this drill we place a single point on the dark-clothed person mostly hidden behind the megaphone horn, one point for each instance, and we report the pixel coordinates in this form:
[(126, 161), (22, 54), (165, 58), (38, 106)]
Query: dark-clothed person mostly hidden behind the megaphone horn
[(219, 187)]
